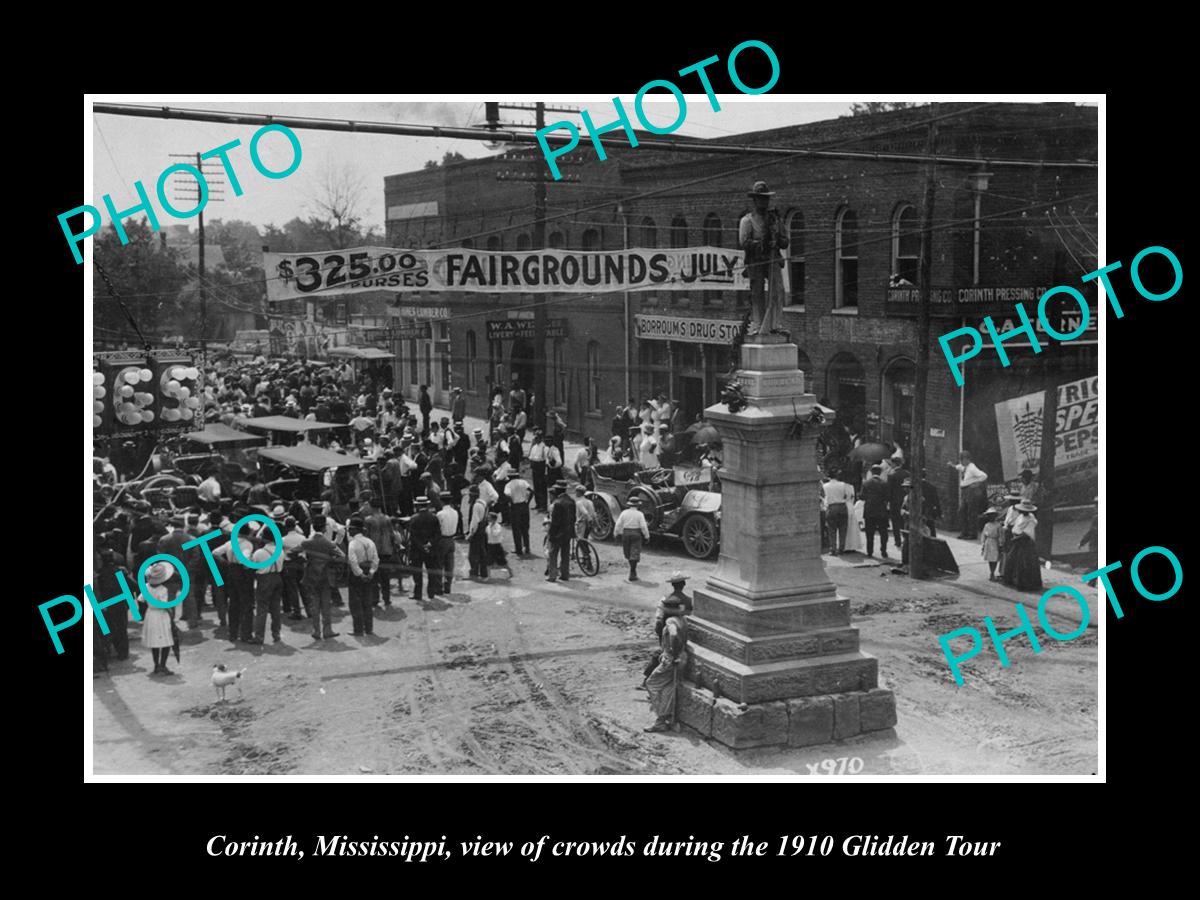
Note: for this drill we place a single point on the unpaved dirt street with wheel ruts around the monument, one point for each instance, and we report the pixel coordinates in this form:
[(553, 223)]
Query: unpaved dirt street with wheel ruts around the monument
[(525, 677)]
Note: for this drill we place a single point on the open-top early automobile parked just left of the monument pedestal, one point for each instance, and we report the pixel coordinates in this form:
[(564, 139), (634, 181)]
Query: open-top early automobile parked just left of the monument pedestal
[(683, 502)]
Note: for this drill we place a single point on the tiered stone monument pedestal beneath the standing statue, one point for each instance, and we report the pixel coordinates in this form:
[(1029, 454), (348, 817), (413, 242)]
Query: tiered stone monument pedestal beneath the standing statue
[(773, 657)]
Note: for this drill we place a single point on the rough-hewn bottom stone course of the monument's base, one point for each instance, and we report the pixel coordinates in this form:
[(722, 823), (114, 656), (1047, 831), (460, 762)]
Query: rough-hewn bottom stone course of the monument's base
[(803, 722)]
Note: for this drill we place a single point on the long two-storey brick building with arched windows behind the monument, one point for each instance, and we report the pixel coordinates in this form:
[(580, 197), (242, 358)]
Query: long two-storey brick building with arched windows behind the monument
[(1001, 235)]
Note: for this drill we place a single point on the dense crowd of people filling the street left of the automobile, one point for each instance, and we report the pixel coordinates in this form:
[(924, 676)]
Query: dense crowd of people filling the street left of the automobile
[(418, 489)]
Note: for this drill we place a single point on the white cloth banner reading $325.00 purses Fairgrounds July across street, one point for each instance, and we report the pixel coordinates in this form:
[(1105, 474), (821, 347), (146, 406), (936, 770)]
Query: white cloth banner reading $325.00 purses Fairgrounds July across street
[(292, 277)]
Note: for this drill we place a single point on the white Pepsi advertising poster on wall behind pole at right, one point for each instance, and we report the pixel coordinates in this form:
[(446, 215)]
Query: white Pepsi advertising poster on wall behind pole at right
[(1077, 431)]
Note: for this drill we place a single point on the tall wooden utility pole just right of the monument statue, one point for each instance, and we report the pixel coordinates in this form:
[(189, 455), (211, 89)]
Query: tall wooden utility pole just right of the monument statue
[(916, 495)]
